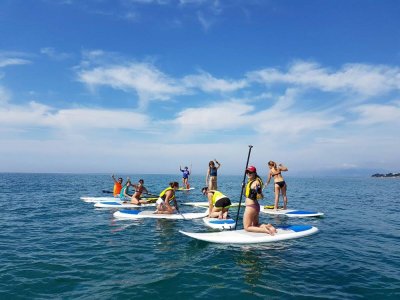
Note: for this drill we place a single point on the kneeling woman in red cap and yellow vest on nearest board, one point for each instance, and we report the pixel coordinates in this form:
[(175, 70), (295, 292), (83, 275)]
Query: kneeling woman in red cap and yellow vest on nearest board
[(253, 193)]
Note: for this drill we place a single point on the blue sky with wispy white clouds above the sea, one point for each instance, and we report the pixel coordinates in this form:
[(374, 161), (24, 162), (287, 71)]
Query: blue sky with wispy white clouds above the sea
[(143, 86)]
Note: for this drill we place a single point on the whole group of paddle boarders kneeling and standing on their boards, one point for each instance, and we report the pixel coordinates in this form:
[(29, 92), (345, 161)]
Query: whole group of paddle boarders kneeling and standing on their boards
[(219, 203)]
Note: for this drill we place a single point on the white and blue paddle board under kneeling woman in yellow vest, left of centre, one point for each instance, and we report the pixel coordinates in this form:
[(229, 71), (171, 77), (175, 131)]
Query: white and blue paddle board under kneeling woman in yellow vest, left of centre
[(138, 214)]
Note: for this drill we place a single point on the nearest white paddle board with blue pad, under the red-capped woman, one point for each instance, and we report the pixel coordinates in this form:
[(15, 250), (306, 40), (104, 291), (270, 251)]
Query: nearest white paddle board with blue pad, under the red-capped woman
[(245, 237)]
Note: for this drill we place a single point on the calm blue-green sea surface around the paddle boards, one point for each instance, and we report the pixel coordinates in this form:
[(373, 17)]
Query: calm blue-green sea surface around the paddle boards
[(55, 246)]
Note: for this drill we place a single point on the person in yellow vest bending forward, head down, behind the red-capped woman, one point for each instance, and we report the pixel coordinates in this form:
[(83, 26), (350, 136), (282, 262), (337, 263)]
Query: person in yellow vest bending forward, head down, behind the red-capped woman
[(218, 203)]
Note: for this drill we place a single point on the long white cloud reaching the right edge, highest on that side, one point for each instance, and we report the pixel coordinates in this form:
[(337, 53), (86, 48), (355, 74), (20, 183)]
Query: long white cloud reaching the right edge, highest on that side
[(366, 80)]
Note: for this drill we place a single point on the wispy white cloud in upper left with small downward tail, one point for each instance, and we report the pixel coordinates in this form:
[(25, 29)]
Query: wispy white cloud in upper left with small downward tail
[(148, 82)]
